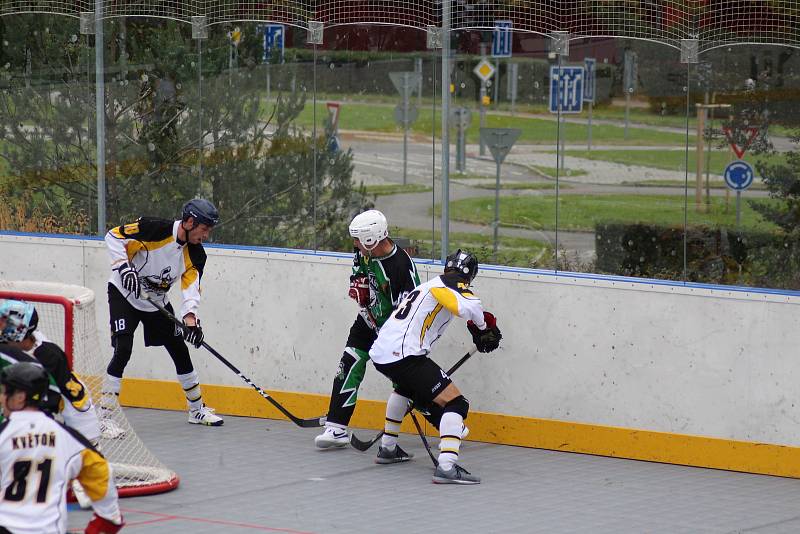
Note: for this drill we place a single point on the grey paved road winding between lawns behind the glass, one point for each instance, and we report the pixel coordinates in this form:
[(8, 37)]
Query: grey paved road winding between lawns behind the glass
[(379, 160)]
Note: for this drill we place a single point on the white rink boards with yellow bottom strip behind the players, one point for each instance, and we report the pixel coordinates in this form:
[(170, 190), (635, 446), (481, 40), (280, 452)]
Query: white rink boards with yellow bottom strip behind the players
[(688, 374)]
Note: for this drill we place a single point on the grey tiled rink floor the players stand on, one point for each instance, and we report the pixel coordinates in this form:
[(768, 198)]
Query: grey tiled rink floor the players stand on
[(254, 475)]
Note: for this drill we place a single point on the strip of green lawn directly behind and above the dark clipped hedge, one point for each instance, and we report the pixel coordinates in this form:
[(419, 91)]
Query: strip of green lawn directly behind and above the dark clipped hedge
[(583, 212)]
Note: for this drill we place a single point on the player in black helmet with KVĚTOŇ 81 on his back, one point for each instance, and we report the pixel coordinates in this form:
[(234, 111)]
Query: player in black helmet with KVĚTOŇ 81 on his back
[(38, 458)]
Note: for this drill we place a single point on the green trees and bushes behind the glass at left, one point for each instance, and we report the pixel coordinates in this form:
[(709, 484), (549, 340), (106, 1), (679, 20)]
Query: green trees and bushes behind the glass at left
[(169, 137)]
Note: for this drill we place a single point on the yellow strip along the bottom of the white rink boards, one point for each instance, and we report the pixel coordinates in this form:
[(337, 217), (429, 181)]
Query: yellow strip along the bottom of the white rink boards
[(616, 442)]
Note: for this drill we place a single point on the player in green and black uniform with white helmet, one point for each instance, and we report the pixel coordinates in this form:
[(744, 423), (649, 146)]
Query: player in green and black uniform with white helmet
[(382, 275)]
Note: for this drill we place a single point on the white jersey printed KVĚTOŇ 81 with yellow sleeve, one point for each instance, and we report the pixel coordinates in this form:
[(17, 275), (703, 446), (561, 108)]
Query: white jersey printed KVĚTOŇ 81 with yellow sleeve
[(38, 458)]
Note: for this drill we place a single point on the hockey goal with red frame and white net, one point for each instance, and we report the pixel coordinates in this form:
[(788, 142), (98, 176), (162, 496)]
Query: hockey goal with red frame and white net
[(67, 318)]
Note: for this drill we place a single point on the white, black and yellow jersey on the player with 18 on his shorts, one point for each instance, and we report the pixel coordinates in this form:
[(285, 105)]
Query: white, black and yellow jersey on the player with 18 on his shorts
[(151, 246)]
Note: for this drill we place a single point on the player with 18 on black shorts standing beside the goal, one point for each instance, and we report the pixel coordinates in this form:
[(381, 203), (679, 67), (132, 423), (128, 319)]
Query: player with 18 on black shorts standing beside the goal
[(151, 255)]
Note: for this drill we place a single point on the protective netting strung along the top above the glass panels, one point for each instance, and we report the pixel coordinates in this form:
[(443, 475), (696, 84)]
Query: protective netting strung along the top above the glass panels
[(713, 23)]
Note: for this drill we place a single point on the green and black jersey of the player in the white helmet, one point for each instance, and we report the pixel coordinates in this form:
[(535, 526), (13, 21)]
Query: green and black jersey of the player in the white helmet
[(391, 278)]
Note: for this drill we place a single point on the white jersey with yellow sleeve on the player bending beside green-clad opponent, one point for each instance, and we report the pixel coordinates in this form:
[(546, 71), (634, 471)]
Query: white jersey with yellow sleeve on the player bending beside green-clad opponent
[(422, 316)]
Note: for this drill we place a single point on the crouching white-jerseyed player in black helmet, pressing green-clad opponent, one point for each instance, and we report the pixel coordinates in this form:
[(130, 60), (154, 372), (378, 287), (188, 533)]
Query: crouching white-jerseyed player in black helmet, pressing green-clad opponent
[(401, 353)]
